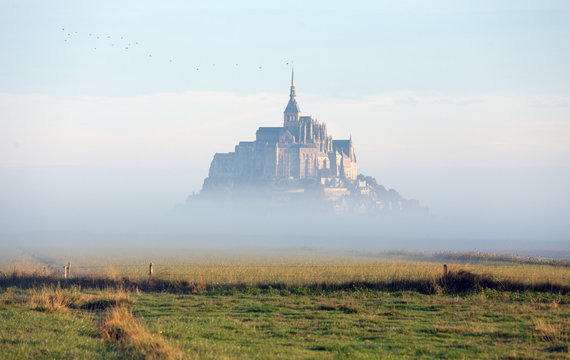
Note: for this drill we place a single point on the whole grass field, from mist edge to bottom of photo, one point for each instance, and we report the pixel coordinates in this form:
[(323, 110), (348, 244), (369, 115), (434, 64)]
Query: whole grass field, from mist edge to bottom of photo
[(301, 306)]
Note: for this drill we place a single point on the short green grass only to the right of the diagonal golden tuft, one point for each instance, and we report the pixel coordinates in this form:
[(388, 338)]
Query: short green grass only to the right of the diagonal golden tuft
[(357, 325)]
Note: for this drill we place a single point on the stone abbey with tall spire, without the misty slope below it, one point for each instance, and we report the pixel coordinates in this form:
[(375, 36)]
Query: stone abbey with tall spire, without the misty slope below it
[(300, 149)]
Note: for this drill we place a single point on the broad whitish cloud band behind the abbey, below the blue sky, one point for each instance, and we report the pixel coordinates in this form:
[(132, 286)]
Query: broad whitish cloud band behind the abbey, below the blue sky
[(392, 129)]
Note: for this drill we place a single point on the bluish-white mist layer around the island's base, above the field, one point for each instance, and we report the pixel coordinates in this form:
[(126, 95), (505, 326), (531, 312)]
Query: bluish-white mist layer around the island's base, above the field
[(515, 210)]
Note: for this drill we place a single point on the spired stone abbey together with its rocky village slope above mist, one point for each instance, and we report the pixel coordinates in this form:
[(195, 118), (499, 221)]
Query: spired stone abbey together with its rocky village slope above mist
[(299, 161)]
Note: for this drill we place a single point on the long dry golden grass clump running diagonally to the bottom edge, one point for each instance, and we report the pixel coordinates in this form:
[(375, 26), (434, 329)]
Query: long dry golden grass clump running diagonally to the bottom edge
[(119, 327)]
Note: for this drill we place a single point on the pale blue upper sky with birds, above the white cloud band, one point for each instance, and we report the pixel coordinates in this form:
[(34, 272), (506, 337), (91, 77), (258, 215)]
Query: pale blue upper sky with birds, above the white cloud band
[(340, 50)]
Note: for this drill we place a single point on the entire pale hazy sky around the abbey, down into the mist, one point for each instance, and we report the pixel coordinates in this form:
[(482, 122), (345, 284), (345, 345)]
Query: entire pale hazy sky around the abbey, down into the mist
[(477, 89)]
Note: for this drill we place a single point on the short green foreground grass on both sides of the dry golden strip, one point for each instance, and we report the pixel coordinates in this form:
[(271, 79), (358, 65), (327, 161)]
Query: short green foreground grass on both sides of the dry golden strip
[(253, 323)]
